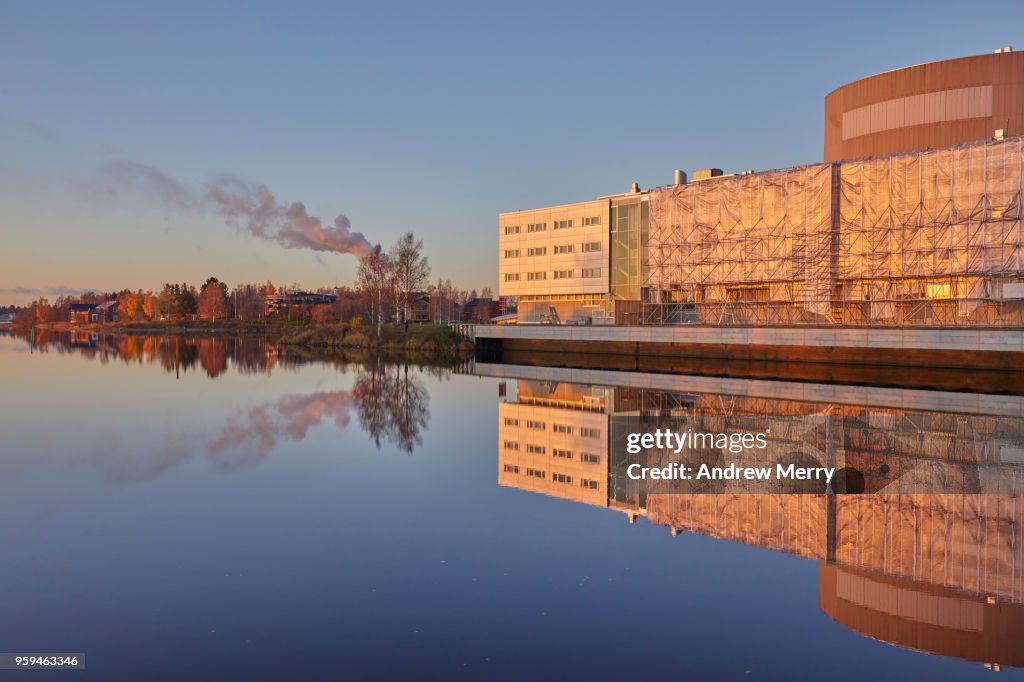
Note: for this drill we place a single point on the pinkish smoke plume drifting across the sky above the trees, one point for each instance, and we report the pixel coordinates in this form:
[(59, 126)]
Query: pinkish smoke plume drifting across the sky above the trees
[(246, 205)]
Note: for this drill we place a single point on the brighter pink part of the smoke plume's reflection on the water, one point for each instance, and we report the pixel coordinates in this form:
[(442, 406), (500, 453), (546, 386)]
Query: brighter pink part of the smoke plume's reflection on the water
[(260, 431)]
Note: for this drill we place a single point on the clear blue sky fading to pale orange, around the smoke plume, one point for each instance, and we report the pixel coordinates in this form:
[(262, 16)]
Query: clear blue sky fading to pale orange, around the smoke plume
[(424, 117)]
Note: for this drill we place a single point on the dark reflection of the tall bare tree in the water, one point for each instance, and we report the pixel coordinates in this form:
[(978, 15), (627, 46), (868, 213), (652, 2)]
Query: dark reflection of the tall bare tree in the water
[(393, 406)]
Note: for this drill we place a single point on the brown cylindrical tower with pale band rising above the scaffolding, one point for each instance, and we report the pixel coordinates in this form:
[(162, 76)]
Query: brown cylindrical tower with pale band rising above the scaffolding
[(934, 105)]
